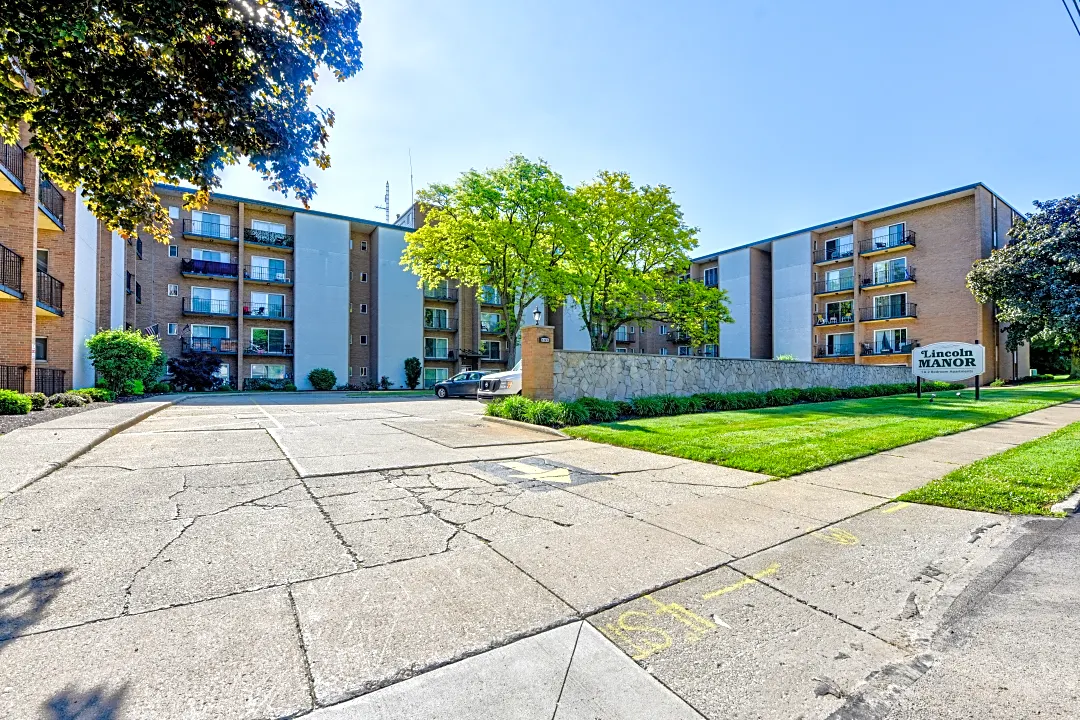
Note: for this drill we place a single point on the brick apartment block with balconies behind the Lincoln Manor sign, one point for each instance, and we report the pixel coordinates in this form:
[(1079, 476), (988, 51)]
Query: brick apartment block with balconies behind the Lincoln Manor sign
[(870, 288)]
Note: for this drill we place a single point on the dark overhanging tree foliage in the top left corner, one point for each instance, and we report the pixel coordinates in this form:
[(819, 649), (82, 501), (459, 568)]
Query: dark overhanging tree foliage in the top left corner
[(121, 94)]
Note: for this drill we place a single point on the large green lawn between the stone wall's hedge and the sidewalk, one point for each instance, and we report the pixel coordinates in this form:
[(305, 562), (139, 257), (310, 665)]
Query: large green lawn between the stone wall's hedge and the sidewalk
[(789, 441)]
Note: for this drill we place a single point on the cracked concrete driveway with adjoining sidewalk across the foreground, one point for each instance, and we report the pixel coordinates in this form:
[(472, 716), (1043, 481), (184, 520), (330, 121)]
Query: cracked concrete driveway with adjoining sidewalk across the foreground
[(265, 556)]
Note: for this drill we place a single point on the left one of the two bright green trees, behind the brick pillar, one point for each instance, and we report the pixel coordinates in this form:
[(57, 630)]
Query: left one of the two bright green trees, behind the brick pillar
[(502, 228)]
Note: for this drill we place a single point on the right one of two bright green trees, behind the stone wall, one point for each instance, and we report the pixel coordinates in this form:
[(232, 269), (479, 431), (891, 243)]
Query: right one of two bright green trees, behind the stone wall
[(628, 263)]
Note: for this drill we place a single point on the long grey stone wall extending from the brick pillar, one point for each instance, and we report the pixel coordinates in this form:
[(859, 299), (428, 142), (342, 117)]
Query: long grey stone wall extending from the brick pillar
[(618, 376)]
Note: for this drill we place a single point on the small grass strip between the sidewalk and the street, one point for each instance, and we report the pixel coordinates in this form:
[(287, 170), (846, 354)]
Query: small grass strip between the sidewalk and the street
[(1027, 480)]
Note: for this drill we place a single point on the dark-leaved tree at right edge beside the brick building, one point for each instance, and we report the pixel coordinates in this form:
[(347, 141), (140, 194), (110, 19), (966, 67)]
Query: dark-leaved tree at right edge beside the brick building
[(1035, 281)]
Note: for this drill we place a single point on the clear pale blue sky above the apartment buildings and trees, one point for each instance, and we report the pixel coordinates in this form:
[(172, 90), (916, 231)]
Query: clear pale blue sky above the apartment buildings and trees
[(763, 117)]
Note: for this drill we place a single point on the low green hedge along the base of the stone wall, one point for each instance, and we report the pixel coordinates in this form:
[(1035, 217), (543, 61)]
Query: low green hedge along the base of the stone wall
[(596, 411)]
